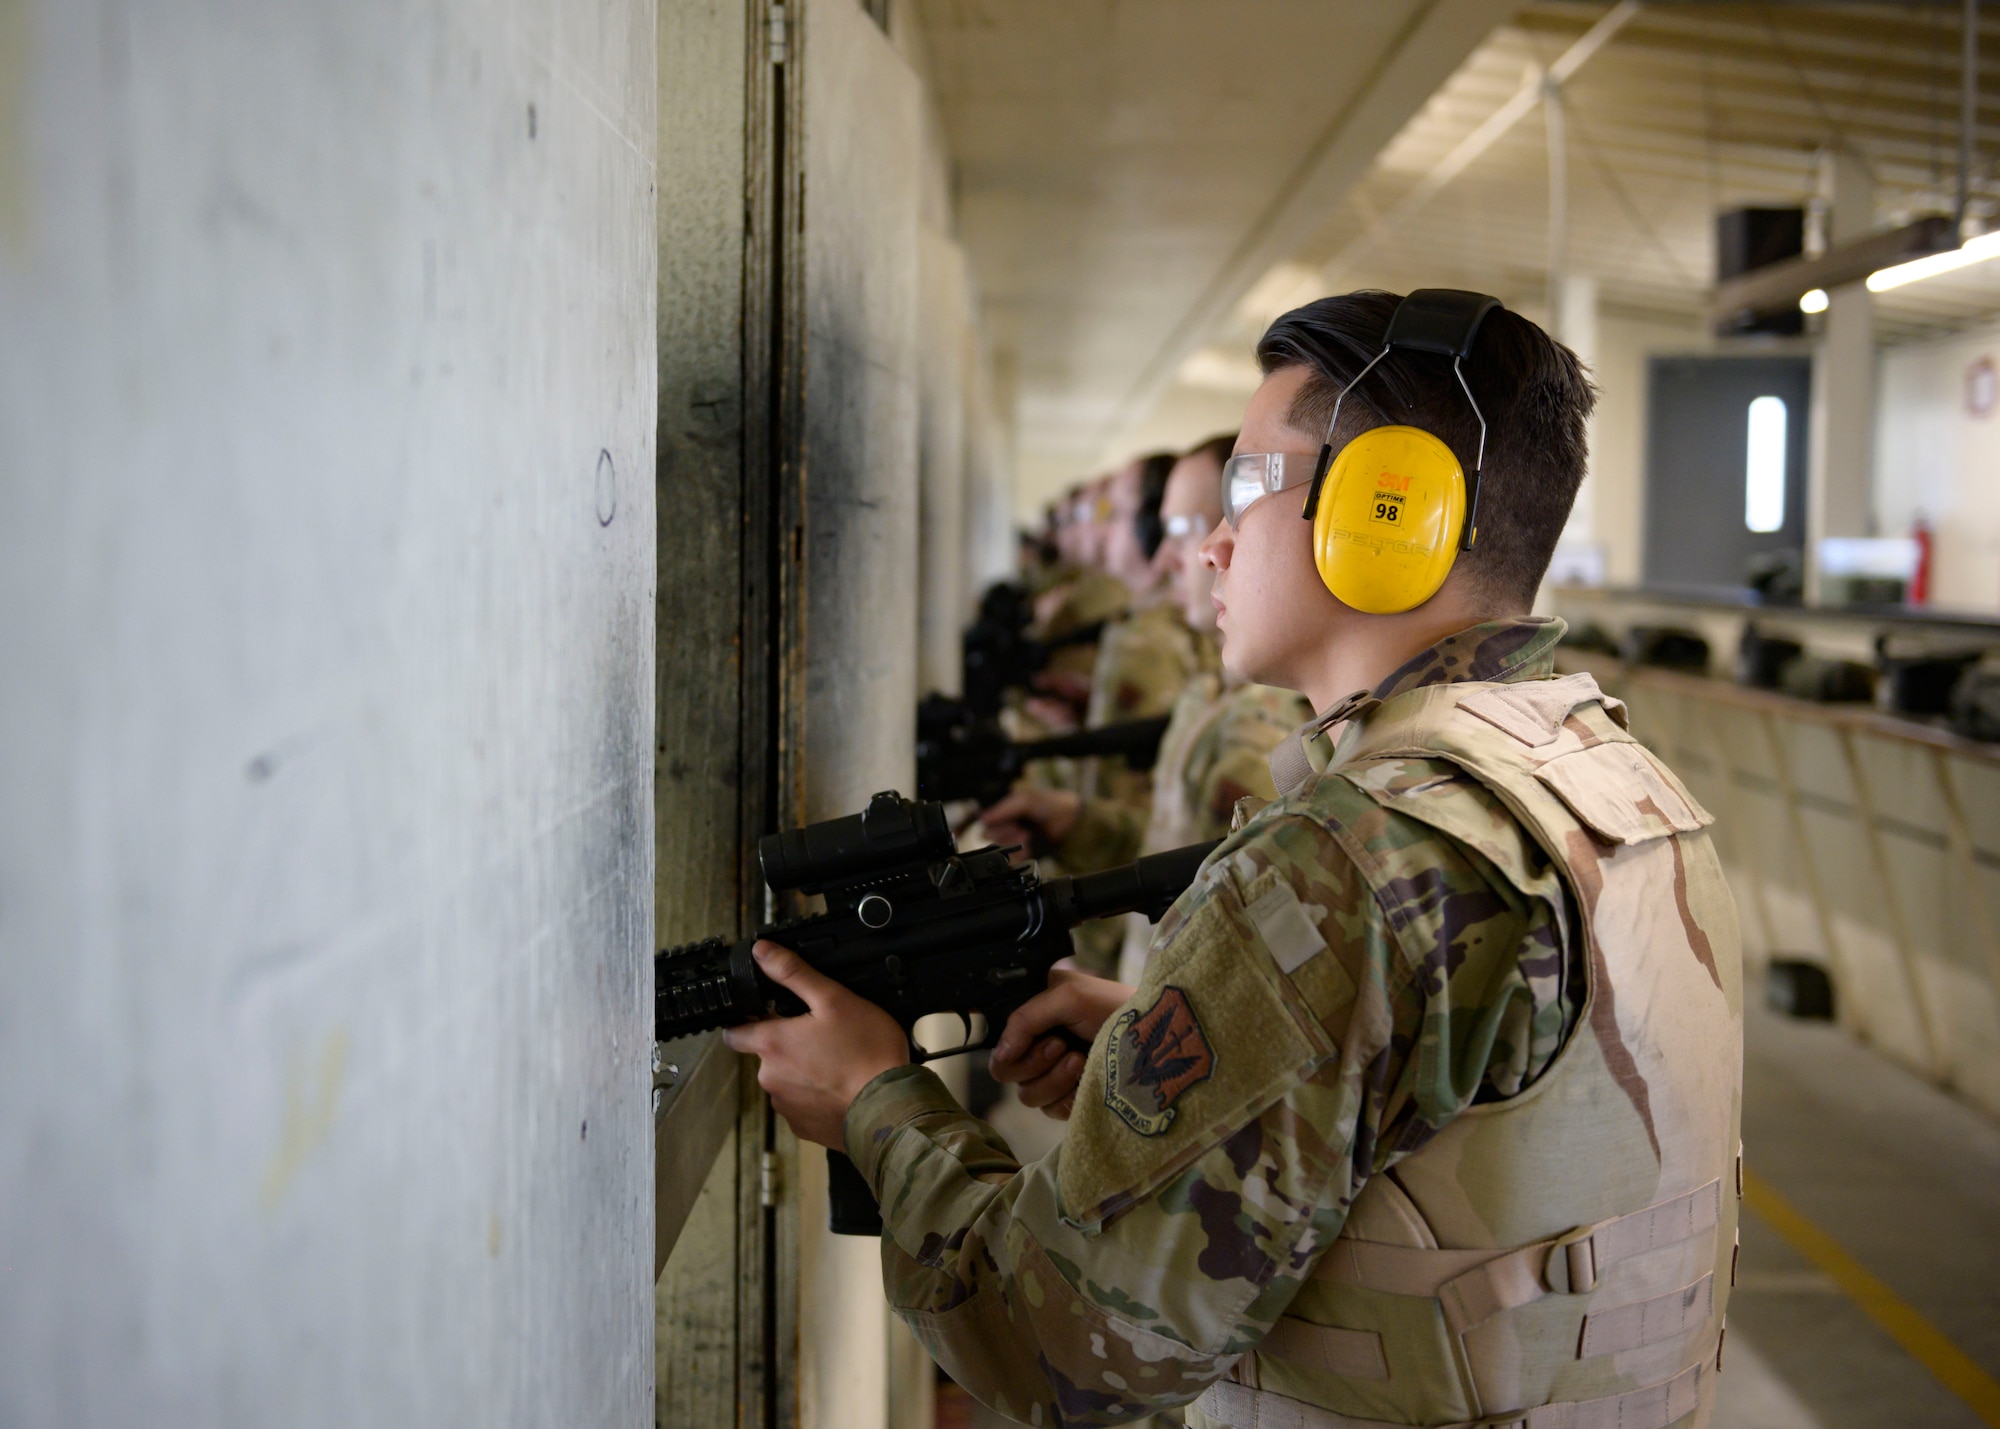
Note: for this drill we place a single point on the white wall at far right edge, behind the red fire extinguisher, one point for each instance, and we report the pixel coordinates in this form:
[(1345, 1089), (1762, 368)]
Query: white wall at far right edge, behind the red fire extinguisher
[(1941, 459)]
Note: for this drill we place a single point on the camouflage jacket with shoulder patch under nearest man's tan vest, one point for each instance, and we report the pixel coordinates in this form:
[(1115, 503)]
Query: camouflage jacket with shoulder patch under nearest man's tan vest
[(1233, 1112)]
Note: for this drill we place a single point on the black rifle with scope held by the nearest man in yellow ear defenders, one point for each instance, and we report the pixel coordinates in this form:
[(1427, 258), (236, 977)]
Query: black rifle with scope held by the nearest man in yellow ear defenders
[(915, 928)]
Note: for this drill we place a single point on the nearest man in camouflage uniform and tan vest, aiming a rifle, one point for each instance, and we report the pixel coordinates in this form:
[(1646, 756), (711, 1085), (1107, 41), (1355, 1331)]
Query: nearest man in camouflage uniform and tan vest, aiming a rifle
[(1427, 1104)]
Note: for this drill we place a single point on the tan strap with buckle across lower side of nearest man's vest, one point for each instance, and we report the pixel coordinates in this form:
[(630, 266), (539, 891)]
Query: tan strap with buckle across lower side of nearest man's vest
[(1475, 1286)]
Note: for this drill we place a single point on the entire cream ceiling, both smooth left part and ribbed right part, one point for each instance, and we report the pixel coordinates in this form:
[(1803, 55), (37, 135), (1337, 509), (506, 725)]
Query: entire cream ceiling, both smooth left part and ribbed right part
[(1137, 187)]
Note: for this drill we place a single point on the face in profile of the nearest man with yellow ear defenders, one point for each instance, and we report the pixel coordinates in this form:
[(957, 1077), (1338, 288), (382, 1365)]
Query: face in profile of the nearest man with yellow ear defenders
[(1273, 609)]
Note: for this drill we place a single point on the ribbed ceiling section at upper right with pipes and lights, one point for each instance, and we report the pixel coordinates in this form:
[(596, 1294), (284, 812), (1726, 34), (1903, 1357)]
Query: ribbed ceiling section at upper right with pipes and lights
[(1687, 111)]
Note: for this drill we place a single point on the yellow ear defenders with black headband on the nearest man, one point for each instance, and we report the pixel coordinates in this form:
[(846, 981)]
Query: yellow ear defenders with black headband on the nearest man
[(1391, 515)]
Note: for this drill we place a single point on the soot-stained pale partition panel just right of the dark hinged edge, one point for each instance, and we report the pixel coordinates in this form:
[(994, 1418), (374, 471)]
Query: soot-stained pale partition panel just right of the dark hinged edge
[(863, 591)]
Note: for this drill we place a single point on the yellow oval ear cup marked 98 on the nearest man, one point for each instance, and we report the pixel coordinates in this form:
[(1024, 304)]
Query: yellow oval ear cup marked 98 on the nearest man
[(1389, 521)]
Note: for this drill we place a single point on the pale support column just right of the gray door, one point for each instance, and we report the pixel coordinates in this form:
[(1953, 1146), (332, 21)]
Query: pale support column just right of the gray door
[(1841, 459)]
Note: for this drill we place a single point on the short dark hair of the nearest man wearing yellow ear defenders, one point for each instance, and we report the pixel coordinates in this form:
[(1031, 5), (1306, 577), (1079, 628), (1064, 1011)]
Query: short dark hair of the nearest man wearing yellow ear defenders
[(1533, 391)]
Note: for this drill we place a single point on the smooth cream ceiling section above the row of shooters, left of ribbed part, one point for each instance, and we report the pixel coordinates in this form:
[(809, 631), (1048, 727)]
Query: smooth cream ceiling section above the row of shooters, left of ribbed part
[(1127, 169)]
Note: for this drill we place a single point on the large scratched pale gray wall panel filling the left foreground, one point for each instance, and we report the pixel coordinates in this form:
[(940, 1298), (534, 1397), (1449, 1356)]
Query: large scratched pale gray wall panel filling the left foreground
[(327, 559)]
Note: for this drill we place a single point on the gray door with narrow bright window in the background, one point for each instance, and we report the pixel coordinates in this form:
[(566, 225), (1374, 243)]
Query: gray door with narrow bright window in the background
[(1713, 501)]
